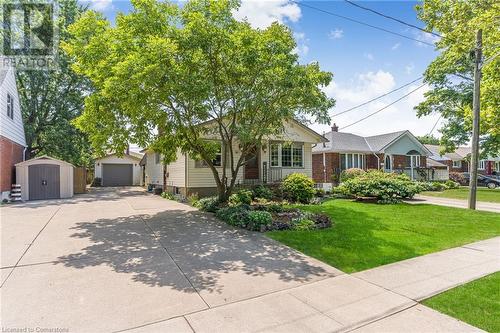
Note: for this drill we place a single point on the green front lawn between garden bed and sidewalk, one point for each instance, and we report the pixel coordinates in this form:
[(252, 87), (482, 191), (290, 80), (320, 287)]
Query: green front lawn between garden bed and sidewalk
[(368, 235)]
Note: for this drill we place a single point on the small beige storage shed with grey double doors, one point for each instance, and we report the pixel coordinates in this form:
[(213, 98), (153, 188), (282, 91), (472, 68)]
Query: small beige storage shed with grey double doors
[(44, 178)]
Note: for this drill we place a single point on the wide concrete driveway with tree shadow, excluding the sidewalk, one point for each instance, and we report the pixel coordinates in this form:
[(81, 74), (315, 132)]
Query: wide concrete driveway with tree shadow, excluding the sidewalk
[(117, 259)]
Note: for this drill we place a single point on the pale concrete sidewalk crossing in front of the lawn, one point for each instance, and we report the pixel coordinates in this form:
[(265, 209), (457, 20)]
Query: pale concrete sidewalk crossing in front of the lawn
[(382, 299)]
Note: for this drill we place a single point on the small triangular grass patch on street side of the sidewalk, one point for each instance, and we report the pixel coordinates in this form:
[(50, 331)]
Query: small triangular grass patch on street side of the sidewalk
[(476, 303)]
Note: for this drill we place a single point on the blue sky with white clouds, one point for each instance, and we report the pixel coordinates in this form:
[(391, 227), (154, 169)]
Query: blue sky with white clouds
[(365, 62)]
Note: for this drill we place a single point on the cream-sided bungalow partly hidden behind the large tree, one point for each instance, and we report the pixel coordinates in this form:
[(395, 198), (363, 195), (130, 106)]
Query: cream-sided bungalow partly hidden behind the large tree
[(277, 157)]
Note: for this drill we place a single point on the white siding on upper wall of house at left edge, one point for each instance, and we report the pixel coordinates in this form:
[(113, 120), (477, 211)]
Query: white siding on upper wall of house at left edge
[(11, 129)]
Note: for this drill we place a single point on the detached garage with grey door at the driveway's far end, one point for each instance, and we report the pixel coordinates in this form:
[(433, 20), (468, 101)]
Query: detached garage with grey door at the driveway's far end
[(119, 171)]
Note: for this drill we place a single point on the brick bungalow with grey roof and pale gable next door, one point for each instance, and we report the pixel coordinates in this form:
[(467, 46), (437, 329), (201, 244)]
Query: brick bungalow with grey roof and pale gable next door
[(392, 152)]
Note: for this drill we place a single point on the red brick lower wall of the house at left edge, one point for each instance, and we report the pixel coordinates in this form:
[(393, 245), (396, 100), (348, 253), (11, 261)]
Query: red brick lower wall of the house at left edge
[(10, 154)]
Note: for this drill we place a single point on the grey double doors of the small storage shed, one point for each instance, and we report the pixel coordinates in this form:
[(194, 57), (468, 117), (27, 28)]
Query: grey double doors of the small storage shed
[(44, 181)]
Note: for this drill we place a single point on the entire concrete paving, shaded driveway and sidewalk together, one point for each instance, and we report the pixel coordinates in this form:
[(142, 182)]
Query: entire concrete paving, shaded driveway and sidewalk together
[(122, 260)]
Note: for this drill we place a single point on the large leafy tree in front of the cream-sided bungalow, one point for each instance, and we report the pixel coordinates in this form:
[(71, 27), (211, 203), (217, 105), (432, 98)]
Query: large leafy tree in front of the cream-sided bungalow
[(171, 77)]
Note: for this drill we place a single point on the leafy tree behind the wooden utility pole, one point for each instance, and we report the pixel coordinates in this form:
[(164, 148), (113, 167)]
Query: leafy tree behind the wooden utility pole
[(450, 75)]
